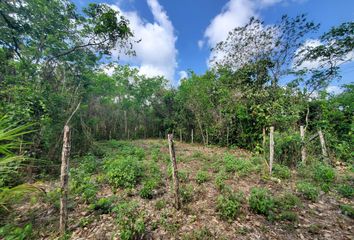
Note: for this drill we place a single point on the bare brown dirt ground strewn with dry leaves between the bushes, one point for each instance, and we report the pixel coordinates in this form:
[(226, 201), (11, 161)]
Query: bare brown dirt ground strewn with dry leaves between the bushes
[(316, 220)]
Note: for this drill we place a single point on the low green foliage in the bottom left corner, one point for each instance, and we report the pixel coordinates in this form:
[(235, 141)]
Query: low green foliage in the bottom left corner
[(10, 232)]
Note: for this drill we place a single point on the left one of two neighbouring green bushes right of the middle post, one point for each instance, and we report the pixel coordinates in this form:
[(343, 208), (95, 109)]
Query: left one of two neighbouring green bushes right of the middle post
[(229, 205)]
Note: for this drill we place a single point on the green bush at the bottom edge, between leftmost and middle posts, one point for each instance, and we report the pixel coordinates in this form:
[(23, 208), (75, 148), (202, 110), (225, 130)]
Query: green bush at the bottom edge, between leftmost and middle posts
[(130, 221)]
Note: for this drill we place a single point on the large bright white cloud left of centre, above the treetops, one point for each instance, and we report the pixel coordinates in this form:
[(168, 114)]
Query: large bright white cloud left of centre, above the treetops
[(156, 53)]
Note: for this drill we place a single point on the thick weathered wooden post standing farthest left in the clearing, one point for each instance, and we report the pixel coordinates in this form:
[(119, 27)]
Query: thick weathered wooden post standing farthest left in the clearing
[(64, 178)]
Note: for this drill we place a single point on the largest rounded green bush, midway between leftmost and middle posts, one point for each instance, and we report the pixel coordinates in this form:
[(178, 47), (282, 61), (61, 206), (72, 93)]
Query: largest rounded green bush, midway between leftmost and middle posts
[(124, 172)]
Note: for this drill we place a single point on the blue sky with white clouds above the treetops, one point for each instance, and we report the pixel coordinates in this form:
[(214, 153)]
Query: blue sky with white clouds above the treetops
[(177, 34)]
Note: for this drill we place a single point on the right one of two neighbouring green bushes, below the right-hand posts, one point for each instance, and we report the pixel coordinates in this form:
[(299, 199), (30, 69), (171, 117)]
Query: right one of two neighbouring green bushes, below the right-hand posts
[(261, 201)]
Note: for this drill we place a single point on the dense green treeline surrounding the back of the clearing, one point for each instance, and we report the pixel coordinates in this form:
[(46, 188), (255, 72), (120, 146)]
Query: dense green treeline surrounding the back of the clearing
[(52, 58)]
